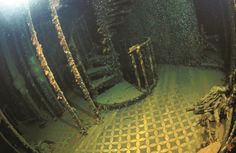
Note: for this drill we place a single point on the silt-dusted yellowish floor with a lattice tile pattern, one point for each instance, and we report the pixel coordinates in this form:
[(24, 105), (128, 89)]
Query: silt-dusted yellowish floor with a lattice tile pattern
[(158, 124)]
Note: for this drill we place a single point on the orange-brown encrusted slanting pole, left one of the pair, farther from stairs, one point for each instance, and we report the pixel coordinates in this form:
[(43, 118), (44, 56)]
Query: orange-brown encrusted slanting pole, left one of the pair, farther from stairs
[(48, 73)]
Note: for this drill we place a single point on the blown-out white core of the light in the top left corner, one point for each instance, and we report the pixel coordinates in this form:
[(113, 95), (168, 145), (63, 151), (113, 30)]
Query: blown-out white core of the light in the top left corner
[(12, 3)]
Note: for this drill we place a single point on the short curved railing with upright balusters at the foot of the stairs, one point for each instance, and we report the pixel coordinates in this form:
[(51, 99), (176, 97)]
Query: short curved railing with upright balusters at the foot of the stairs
[(144, 64)]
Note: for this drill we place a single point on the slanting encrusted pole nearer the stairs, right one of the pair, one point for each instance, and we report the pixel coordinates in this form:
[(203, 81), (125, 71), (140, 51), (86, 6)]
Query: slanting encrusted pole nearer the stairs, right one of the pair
[(78, 79)]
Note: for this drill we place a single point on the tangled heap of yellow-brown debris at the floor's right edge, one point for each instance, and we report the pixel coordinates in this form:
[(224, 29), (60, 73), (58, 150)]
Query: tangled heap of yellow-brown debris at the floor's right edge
[(217, 116)]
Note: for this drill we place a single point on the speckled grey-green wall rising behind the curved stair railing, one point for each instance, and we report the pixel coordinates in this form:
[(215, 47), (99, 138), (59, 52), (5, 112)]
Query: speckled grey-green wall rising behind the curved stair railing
[(172, 25)]
